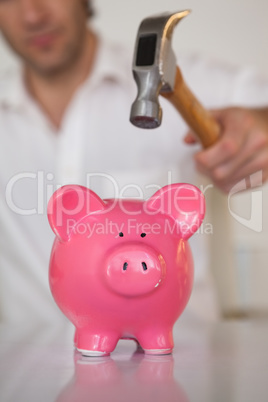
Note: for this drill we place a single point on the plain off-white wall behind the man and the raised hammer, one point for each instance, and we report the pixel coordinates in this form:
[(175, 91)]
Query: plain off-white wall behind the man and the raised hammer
[(232, 30)]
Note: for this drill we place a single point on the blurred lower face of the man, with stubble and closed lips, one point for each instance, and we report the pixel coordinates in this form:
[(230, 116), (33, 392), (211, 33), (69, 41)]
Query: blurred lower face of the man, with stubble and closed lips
[(47, 34)]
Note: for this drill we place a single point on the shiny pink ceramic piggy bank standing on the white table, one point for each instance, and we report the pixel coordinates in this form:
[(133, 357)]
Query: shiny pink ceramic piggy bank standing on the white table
[(123, 268)]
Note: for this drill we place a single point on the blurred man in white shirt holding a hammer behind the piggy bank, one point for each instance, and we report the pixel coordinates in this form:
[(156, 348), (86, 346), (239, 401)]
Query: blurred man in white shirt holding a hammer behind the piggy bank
[(64, 118)]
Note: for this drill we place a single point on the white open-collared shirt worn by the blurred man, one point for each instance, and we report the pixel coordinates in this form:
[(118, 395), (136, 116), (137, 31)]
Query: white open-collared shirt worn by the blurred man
[(96, 146)]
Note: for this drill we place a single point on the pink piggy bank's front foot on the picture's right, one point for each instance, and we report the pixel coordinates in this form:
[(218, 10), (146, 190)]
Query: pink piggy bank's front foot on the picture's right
[(156, 342)]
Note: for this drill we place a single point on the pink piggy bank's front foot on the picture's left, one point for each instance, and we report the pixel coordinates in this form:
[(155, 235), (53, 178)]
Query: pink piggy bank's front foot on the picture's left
[(97, 343)]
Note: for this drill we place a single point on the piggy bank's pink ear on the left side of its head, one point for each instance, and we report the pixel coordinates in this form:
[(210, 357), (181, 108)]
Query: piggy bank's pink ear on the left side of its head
[(68, 206)]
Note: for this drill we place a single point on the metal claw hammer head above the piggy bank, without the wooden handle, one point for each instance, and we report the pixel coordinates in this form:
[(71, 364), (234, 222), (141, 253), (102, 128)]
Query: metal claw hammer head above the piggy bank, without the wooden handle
[(154, 67)]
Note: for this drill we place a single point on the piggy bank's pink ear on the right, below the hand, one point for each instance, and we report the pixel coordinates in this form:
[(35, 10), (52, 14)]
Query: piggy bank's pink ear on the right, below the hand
[(183, 202)]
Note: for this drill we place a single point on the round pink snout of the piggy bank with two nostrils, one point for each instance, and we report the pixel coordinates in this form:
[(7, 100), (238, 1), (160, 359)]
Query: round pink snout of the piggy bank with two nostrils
[(134, 269)]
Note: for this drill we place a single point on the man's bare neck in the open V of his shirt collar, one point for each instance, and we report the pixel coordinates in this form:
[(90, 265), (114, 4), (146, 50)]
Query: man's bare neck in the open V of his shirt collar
[(54, 93)]
